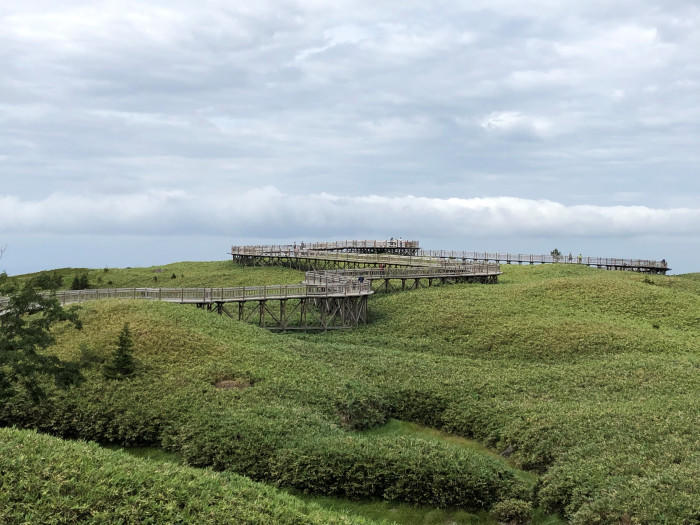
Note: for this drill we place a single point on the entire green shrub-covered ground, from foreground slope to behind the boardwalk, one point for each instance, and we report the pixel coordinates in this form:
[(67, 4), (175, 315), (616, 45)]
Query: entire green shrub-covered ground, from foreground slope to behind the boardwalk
[(561, 394)]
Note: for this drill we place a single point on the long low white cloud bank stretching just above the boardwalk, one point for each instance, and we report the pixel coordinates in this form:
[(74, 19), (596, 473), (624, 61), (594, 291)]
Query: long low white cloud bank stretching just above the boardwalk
[(266, 209)]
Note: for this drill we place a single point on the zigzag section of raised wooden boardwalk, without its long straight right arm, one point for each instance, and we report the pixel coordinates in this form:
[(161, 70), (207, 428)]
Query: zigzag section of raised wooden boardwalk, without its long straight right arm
[(340, 278)]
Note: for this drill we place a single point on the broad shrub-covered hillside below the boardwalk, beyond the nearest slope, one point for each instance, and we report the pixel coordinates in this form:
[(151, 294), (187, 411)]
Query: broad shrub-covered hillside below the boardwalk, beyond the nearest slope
[(589, 378)]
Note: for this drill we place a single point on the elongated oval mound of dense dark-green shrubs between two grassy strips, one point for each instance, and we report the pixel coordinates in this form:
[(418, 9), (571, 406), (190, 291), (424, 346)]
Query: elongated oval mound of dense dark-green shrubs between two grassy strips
[(400, 469)]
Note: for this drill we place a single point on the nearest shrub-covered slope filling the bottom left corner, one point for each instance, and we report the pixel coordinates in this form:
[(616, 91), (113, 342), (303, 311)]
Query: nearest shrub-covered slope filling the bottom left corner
[(47, 480)]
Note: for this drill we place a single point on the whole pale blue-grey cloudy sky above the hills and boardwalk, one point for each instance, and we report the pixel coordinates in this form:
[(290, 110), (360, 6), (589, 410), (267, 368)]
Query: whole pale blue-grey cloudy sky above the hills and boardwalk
[(137, 132)]
